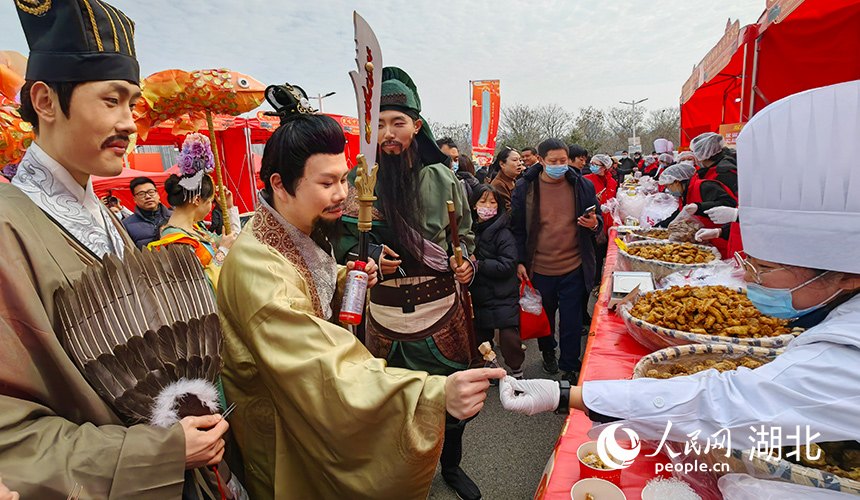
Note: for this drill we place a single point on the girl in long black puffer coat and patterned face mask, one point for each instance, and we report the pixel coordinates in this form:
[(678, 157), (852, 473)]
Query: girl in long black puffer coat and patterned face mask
[(495, 291)]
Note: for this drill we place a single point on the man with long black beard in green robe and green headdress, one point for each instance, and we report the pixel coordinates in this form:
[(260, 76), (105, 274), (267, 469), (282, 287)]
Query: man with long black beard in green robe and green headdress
[(415, 318)]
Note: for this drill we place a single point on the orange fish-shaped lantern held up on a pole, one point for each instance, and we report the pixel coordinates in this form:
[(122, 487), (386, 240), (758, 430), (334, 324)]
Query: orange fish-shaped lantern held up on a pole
[(190, 99)]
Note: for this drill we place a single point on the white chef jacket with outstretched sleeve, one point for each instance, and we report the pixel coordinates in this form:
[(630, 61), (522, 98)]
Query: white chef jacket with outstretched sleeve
[(816, 382)]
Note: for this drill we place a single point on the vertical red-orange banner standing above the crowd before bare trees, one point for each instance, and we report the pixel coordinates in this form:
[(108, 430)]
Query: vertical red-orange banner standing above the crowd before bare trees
[(485, 120)]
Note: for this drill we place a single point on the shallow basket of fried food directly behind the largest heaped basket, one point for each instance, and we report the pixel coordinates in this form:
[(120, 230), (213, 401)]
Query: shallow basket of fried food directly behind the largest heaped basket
[(662, 258)]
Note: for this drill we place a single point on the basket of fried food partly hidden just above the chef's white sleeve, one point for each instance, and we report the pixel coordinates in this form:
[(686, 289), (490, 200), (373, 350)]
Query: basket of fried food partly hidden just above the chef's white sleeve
[(678, 361)]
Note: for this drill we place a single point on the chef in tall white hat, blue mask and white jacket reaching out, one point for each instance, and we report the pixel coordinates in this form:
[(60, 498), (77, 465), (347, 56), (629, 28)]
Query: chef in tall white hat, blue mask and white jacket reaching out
[(801, 231)]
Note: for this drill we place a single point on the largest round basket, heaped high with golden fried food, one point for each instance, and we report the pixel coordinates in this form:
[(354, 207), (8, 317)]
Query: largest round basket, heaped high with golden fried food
[(700, 315)]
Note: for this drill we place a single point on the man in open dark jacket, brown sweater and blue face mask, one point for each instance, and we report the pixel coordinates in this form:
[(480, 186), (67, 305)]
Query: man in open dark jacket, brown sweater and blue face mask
[(555, 247)]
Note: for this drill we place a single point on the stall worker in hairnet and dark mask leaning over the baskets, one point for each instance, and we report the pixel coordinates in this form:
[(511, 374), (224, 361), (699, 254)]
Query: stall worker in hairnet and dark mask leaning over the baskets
[(697, 197)]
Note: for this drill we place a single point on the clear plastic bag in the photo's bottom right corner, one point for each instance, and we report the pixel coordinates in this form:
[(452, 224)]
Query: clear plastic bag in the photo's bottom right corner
[(744, 487)]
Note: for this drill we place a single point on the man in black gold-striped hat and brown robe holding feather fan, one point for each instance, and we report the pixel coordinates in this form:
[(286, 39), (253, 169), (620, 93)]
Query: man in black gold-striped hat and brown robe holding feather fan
[(55, 431)]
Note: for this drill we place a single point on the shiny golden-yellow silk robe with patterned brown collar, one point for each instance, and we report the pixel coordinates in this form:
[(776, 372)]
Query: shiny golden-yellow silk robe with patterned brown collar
[(318, 417)]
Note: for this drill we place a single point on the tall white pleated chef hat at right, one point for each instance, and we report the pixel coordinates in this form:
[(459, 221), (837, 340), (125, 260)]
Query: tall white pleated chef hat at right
[(799, 180)]
